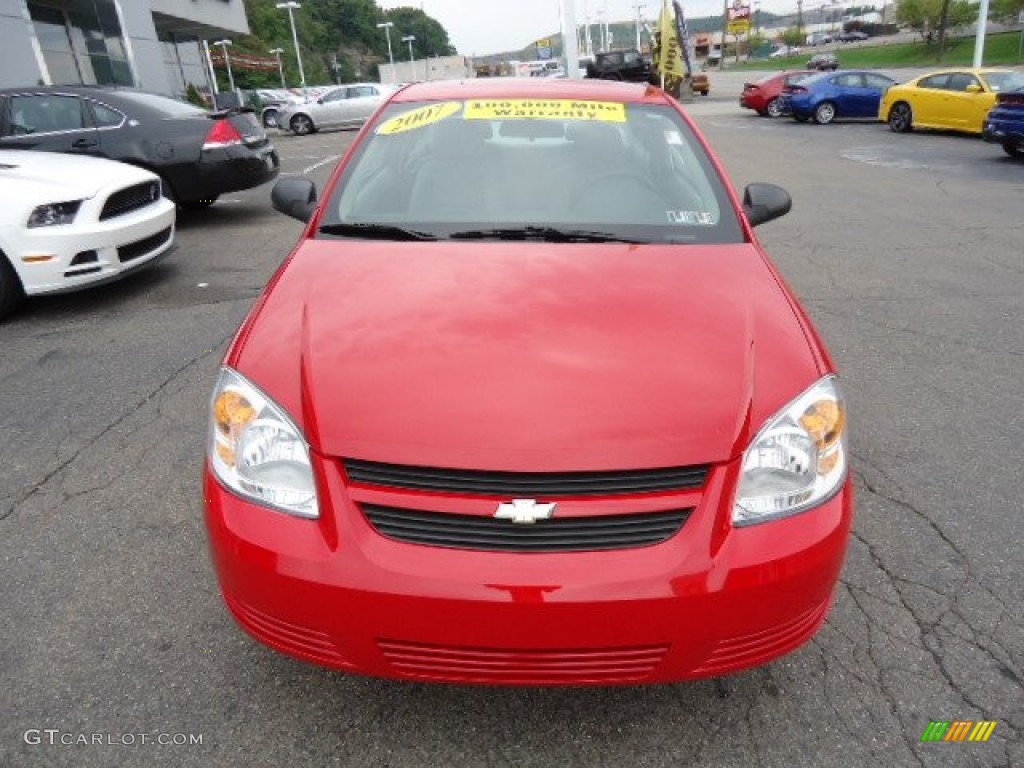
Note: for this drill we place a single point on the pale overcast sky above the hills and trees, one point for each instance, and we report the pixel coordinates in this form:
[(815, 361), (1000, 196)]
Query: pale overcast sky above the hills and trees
[(481, 27)]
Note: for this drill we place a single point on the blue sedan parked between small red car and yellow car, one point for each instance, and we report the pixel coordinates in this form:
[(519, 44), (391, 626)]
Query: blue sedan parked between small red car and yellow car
[(847, 94)]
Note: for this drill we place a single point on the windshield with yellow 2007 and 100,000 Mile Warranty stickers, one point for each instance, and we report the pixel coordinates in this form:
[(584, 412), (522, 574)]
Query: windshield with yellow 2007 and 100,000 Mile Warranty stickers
[(521, 169)]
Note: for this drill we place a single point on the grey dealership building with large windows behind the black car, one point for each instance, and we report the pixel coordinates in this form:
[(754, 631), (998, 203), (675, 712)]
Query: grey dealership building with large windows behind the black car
[(151, 45)]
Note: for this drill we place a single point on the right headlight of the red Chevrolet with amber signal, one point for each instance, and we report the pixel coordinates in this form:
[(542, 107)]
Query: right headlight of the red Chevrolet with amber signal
[(798, 460)]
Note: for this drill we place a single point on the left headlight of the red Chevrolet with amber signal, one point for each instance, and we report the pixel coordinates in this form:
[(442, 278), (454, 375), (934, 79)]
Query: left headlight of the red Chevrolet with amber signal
[(257, 450)]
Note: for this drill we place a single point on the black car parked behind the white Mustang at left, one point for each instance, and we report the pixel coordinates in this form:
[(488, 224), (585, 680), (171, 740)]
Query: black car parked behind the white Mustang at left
[(198, 154)]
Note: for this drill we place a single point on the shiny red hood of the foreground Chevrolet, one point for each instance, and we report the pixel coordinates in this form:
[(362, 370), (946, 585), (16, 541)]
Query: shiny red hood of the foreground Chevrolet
[(528, 357)]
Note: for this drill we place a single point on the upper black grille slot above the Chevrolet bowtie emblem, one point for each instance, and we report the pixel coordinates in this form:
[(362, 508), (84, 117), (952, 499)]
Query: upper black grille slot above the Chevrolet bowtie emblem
[(525, 485)]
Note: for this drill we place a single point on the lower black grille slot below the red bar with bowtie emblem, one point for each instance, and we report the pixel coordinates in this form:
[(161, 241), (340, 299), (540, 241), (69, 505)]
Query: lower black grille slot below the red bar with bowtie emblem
[(554, 535)]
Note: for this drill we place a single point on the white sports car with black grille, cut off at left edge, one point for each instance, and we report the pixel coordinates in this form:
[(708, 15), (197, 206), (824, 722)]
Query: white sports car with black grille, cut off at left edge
[(70, 222)]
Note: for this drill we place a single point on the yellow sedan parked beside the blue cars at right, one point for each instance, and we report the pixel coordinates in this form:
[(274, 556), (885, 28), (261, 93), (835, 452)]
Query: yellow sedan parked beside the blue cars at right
[(949, 100)]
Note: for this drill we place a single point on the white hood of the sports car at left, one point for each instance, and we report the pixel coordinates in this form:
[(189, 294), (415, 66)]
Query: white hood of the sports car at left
[(55, 178)]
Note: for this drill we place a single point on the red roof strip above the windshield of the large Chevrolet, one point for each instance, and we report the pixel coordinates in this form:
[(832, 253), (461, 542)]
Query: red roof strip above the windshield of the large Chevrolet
[(608, 91)]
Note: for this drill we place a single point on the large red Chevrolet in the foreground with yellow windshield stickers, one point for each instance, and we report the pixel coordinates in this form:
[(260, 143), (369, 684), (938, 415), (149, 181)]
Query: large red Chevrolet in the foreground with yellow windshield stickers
[(528, 404)]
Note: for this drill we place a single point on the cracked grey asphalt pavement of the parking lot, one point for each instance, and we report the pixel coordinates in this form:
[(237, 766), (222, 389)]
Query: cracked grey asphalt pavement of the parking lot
[(908, 253)]
